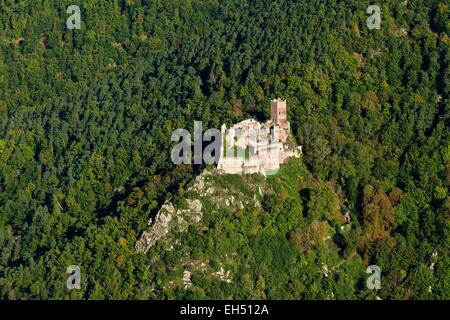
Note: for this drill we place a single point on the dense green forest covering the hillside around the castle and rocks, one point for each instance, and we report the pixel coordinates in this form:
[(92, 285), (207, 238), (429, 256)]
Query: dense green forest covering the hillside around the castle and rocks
[(86, 117)]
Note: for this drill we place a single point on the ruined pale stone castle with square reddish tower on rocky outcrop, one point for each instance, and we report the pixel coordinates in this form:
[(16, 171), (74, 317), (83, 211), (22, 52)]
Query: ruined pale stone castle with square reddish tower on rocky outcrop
[(253, 147)]
